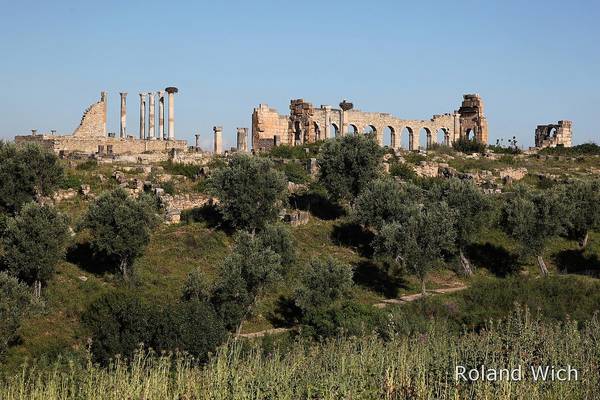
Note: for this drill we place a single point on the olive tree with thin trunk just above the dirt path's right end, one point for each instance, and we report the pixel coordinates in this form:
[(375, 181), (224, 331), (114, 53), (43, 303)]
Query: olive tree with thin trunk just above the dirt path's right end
[(420, 240)]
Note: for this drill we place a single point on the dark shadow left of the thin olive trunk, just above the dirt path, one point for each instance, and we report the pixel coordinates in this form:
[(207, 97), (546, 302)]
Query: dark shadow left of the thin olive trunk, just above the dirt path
[(378, 278)]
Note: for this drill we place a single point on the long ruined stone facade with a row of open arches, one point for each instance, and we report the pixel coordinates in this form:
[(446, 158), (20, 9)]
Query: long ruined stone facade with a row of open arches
[(307, 124)]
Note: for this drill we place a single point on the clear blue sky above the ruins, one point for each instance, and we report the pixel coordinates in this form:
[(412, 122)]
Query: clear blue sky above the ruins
[(533, 62)]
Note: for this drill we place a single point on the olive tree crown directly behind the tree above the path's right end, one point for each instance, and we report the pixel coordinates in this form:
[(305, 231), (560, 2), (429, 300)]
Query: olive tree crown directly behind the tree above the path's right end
[(382, 201)]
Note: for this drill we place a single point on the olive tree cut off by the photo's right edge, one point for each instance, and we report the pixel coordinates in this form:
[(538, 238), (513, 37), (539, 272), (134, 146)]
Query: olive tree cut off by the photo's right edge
[(583, 201)]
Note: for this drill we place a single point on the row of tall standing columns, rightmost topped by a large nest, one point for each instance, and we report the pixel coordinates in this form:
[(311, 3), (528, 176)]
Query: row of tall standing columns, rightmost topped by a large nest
[(150, 96)]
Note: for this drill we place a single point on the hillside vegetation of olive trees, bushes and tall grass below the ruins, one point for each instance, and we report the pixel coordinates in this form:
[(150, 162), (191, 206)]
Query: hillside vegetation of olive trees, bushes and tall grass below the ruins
[(99, 300)]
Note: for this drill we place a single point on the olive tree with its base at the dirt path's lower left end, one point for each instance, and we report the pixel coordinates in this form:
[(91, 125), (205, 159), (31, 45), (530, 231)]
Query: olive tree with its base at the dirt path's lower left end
[(245, 274)]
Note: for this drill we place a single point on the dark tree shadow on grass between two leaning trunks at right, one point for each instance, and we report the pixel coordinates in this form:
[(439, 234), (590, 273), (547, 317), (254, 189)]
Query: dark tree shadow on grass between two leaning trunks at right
[(495, 259)]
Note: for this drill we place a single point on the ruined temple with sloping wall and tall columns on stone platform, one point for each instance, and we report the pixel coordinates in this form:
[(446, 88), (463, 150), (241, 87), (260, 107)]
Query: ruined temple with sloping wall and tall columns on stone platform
[(90, 136)]
